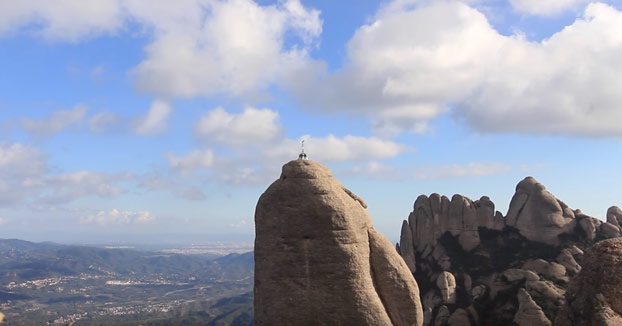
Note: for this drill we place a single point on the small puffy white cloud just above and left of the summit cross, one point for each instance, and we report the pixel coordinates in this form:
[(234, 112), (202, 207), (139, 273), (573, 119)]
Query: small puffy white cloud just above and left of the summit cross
[(250, 126)]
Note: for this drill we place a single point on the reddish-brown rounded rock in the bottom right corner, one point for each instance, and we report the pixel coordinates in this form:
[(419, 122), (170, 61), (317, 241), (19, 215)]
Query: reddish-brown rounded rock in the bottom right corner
[(594, 296)]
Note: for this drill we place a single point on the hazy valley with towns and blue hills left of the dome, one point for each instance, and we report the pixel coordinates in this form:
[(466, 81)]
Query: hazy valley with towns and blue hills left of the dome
[(55, 284)]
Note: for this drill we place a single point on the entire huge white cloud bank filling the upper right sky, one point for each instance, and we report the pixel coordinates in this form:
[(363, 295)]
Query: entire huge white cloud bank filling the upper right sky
[(413, 63)]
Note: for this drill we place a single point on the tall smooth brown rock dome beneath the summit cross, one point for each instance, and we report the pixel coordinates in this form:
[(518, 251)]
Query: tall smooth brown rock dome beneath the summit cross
[(318, 260)]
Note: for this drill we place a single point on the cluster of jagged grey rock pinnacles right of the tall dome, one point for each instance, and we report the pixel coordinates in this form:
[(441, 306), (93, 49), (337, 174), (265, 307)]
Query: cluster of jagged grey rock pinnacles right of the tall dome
[(536, 247)]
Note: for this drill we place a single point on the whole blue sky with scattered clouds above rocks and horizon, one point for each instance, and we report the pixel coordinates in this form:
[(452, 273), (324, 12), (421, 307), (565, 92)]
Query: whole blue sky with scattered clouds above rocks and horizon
[(121, 118)]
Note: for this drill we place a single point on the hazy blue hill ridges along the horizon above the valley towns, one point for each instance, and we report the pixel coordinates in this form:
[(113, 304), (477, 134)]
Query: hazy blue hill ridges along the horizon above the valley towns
[(23, 260)]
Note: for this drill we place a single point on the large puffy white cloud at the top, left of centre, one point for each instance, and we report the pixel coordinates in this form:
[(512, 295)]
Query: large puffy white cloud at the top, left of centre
[(210, 55)]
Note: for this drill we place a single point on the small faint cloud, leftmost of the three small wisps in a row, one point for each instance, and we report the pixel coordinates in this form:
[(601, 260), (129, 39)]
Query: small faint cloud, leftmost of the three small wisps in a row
[(58, 121)]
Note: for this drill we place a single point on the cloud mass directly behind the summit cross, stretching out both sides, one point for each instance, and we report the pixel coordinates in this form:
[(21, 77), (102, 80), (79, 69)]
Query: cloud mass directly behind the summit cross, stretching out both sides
[(260, 146)]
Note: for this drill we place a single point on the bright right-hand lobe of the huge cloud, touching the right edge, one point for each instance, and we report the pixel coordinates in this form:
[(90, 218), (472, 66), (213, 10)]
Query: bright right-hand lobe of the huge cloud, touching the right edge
[(568, 84)]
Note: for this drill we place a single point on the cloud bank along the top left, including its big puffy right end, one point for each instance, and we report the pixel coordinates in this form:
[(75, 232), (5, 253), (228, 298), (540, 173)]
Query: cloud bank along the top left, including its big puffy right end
[(199, 48)]
